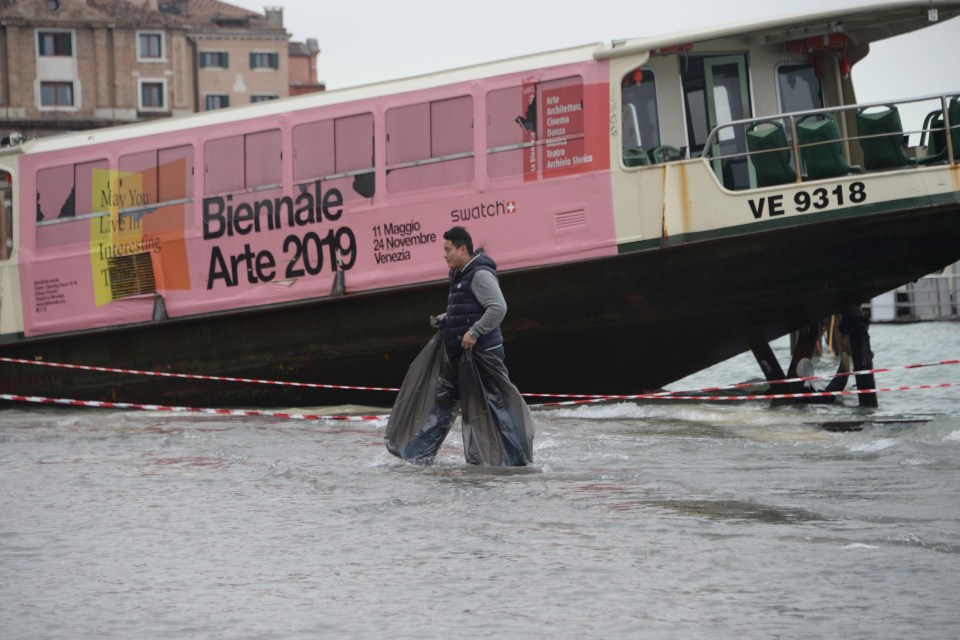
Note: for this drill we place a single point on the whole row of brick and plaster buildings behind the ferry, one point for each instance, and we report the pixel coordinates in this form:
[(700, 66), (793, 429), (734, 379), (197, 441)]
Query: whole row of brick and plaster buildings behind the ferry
[(81, 64)]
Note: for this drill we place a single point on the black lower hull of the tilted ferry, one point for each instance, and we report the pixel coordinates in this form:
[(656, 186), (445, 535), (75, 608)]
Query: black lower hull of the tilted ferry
[(618, 325)]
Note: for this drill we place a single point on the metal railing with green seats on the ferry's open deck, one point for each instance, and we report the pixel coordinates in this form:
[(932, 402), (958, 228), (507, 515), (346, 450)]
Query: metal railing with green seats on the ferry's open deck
[(836, 141)]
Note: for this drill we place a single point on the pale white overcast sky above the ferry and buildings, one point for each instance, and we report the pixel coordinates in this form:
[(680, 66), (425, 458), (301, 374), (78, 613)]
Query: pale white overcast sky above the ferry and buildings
[(364, 41)]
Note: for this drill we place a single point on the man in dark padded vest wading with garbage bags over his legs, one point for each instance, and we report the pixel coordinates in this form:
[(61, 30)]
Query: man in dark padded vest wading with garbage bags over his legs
[(496, 433)]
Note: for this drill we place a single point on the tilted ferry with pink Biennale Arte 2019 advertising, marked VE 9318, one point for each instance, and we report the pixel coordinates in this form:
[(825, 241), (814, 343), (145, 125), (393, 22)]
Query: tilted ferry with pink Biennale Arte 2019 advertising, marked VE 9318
[(655, 206)]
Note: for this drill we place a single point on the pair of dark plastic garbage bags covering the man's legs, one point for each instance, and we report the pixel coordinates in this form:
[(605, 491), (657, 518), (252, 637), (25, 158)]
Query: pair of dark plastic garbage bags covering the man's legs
[(498, 429)]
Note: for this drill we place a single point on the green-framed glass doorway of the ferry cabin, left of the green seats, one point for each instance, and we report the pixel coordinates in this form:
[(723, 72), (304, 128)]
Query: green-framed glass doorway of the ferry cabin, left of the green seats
[(717, 91)]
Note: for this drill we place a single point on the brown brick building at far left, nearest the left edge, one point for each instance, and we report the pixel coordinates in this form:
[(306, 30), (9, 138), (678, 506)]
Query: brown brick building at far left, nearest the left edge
[(70, 64)]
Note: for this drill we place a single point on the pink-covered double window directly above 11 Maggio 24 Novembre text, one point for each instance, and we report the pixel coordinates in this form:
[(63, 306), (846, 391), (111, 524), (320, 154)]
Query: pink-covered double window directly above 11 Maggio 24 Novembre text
[(430, 144)]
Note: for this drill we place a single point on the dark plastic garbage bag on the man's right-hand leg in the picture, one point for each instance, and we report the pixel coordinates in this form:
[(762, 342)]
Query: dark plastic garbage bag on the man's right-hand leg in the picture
[(497, 426)]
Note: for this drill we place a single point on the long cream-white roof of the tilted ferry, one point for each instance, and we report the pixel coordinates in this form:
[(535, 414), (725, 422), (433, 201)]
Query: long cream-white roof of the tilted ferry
[(863, 23)]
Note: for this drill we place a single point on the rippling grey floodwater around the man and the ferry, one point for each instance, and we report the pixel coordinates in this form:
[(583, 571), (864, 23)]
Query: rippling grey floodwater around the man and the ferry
[(654, 520)]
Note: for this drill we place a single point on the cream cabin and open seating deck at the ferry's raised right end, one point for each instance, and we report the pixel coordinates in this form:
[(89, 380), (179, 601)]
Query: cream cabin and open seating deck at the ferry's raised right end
[(724, 98)]
